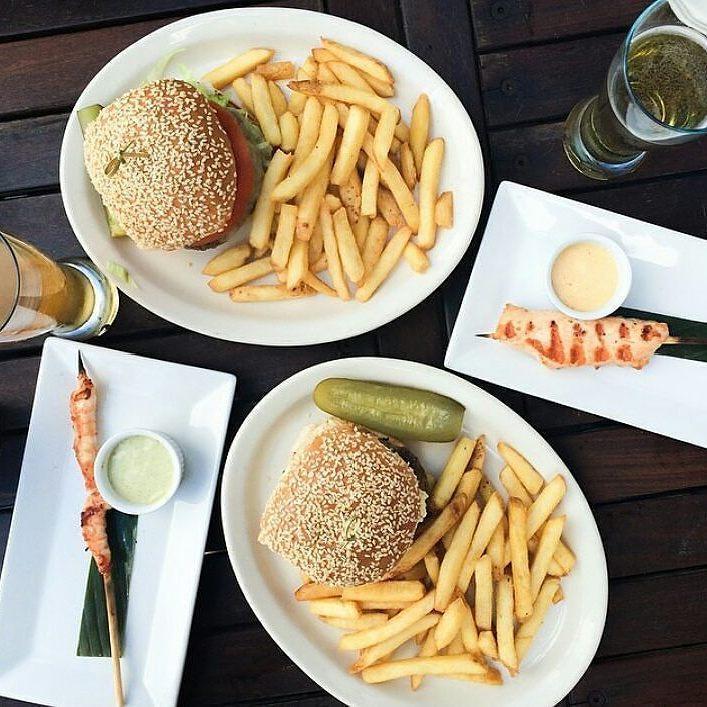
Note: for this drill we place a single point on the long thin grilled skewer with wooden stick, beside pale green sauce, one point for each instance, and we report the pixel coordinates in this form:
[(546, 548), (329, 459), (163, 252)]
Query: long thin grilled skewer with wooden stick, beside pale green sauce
[(93, 515)]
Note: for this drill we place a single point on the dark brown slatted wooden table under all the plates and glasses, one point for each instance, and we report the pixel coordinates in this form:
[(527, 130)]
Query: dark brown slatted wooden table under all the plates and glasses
[(518, 66)]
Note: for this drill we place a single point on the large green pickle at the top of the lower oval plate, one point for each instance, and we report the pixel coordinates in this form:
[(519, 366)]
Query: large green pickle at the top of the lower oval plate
[(407, 413)]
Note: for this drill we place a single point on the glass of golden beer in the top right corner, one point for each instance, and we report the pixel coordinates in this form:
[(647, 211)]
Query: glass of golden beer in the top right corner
[(655, 94)]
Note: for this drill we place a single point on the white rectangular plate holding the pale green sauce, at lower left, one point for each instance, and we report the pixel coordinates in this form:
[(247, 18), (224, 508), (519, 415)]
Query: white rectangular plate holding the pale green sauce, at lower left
[(45, 569)]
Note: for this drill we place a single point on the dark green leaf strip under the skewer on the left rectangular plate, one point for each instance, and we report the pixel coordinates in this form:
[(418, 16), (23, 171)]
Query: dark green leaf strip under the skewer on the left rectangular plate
[(94, 640)]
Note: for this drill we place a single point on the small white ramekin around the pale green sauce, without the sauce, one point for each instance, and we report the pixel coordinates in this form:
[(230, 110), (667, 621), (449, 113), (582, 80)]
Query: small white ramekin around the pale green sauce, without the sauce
[(100, 471)]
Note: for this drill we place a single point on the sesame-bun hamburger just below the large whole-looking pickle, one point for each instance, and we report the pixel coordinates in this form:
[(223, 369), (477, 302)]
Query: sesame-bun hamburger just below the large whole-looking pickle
[(347, 506)]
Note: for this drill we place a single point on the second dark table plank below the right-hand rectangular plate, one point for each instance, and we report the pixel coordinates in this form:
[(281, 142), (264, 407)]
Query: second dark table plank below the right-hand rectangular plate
[(655, 534)]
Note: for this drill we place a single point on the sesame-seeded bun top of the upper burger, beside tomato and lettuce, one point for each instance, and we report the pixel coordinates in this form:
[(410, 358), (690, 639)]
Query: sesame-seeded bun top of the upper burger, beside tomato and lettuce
[(163, 165)]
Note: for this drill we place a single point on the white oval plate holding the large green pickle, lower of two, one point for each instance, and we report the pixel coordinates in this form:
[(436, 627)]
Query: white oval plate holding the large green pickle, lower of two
[(567, 641)]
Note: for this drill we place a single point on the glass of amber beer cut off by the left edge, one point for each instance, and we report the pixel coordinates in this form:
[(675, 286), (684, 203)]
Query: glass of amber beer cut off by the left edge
[(71, 298)]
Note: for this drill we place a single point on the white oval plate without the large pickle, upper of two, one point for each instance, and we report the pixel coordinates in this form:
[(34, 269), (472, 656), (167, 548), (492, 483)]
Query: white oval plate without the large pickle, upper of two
[(171, 284)]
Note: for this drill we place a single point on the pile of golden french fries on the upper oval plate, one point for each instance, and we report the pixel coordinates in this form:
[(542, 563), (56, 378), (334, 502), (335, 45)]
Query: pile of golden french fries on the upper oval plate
[(339, 194)]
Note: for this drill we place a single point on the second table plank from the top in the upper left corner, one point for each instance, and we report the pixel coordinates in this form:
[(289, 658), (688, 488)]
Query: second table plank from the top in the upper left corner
[(48, 73)]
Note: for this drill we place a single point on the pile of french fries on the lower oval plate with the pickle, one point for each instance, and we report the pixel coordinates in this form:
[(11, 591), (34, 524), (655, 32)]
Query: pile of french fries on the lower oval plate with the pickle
[(475, 585)]
